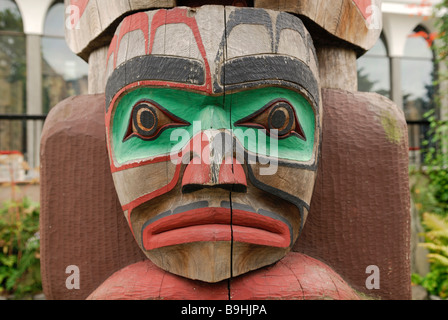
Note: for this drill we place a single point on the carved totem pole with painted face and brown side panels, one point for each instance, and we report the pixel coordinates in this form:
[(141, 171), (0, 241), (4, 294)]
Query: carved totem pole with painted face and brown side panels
[(219, 153)]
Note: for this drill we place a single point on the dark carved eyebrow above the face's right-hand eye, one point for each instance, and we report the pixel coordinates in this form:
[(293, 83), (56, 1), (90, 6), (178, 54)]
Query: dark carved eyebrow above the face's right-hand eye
[(249, 71)]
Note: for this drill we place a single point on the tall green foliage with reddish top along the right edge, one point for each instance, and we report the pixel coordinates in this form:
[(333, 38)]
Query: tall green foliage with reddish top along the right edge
[(432, 199)]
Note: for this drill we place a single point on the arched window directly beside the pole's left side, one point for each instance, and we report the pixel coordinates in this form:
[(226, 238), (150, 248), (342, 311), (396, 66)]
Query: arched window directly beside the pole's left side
[(64, 73)]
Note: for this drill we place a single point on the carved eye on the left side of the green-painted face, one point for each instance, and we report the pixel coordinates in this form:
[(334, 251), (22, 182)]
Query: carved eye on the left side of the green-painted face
[(149, 120)]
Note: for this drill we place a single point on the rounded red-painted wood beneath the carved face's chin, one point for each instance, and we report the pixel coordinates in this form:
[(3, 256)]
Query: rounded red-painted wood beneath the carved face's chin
[(295, 277)]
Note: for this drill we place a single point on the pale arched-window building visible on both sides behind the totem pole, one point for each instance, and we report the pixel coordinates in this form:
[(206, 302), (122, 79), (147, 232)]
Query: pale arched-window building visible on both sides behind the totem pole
[(37, 70)]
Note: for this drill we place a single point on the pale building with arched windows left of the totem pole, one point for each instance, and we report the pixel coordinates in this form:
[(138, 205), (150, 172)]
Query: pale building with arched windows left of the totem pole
[(37, 70)]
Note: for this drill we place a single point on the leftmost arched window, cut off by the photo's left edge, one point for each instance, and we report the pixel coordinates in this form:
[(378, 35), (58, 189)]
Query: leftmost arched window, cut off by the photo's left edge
[(12, 75)]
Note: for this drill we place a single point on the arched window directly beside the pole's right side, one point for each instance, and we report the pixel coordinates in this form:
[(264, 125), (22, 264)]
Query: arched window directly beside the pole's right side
[(374, 70)]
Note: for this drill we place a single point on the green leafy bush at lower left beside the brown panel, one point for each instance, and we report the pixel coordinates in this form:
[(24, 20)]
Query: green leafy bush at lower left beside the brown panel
[(20, 249)]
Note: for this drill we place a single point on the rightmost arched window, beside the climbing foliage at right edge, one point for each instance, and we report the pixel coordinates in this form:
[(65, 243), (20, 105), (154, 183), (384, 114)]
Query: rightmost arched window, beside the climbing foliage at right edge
[(418, 72)]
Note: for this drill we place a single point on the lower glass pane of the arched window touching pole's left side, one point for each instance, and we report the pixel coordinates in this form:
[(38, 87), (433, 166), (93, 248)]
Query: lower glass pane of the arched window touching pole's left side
[(64, 73)]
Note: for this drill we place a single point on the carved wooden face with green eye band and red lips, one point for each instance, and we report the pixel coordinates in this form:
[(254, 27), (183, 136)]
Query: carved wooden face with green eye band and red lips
[(213, 124)]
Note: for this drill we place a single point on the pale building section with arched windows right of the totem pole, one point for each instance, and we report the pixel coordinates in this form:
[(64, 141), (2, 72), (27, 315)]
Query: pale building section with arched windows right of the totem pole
[(402, 66)]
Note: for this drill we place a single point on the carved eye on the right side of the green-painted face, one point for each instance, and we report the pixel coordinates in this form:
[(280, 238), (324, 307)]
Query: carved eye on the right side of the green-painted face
[(277, 115)]
